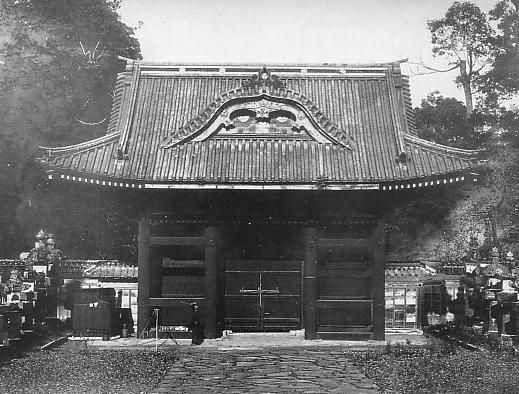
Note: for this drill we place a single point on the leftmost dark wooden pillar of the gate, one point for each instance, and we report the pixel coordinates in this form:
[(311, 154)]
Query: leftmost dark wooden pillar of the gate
[(143, 298)]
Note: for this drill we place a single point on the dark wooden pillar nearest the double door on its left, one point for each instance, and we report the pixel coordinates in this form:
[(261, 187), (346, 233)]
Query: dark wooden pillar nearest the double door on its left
[(211, 283)]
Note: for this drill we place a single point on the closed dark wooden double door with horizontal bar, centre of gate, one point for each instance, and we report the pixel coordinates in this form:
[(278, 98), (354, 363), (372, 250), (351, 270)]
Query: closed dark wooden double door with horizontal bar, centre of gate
[(263, 295)]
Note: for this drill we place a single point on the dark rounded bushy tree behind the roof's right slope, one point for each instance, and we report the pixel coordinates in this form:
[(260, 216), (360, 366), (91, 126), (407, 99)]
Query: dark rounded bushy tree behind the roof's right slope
[(442, 120)]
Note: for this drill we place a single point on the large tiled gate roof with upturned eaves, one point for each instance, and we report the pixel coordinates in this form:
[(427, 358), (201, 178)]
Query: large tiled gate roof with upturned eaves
[(160, 114)]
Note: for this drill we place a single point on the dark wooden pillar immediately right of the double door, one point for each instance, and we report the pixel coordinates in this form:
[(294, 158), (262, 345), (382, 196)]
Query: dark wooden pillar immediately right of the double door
[(310, 284)]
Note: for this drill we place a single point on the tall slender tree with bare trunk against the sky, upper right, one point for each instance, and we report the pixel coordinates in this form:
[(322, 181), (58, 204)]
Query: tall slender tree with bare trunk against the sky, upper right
[(465, 37)]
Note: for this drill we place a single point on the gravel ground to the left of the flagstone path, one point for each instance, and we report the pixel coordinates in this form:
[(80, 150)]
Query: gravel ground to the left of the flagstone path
[(84, 371)]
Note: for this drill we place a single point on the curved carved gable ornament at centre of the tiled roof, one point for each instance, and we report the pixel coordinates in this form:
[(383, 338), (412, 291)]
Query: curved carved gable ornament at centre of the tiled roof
[(259, 109)]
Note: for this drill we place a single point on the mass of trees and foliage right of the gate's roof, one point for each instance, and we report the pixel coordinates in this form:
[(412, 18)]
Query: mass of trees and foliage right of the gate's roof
[(492, 74)]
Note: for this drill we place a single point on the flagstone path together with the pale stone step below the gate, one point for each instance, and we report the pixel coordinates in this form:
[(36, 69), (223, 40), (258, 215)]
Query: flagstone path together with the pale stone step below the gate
[(263, 362)]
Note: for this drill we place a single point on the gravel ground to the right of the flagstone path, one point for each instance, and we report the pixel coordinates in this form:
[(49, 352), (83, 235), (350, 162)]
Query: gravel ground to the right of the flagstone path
[(422, 371)]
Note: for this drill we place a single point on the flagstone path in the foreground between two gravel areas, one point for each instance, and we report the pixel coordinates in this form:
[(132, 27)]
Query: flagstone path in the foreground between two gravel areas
[(274, 370)]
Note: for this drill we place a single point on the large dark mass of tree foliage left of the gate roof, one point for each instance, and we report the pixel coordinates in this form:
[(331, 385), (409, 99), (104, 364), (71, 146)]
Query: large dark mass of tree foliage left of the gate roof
[(58, 64)]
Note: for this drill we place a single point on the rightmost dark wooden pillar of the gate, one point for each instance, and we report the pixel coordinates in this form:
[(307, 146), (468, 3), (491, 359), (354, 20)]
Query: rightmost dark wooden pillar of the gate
[(379, 266)]
